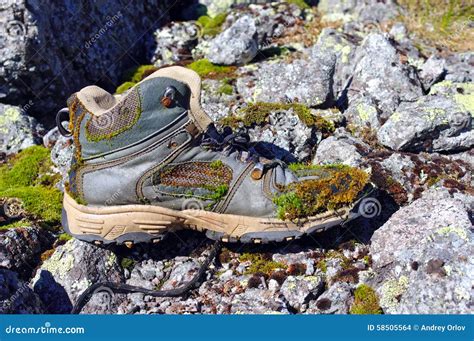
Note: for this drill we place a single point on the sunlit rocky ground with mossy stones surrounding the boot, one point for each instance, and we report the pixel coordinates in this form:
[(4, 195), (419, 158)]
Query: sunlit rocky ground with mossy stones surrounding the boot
[(392, 103)]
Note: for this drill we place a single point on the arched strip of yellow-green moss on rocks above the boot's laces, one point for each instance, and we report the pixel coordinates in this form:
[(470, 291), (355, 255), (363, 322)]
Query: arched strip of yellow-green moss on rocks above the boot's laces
[(257, 114)]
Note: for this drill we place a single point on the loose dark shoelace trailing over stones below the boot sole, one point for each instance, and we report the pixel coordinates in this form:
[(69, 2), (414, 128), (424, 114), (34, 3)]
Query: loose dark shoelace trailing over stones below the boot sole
[(120, 288)]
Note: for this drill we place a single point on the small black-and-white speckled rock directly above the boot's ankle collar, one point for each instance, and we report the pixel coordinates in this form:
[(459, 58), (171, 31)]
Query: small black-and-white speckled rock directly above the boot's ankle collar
[(175, 43)]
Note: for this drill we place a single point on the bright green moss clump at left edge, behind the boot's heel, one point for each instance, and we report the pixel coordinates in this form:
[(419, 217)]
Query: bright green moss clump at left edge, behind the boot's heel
[(26, 177)]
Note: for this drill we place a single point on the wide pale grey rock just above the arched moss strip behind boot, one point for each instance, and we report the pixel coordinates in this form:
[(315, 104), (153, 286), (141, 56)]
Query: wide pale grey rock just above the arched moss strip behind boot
[(283, 82)]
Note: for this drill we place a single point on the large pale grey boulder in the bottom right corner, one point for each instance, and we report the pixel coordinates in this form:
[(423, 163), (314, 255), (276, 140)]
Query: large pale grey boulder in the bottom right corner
[(432, 272)]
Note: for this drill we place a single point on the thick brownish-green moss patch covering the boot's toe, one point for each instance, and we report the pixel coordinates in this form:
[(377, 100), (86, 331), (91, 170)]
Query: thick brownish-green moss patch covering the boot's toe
[(331, 187)]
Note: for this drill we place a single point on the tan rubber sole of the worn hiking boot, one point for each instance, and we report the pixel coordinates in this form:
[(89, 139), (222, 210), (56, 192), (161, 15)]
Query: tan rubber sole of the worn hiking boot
[(130, 224)]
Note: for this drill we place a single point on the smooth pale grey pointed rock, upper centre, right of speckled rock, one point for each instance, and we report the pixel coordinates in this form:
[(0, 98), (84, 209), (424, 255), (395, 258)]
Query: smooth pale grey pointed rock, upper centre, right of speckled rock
[(236, 45)]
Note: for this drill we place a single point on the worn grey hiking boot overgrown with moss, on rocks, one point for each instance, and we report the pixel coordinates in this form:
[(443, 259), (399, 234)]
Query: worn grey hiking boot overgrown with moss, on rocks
[(150, 161)]
